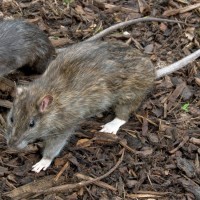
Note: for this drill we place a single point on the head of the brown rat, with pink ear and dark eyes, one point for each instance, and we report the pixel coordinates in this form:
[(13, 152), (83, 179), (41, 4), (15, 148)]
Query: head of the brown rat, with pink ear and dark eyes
[(26, 120)]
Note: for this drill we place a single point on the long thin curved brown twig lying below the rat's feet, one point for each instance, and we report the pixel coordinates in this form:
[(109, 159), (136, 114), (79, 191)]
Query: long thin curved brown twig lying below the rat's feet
[(63, 188)]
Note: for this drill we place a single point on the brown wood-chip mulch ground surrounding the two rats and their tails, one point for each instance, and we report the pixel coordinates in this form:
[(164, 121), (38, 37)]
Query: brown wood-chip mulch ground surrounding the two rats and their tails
[(156, 154)]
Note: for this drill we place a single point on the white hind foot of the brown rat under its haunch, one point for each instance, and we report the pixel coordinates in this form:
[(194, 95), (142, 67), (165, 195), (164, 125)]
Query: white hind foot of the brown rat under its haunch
[(113, 126)]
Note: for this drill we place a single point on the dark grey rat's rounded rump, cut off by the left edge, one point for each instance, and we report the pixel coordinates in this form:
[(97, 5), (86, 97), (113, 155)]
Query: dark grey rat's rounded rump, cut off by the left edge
[(23, 44)]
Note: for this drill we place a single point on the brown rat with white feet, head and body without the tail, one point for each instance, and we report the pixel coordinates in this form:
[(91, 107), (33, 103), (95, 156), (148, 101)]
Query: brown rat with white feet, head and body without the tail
[(79, 84)]
